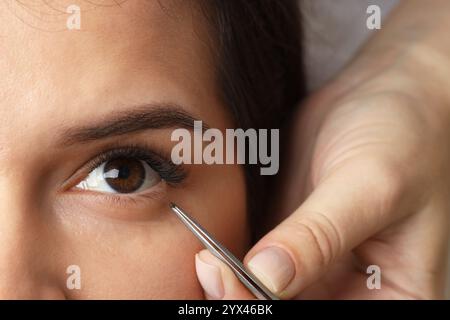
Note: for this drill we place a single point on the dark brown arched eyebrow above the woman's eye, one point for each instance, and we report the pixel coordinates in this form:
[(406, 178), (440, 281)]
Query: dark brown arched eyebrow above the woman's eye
[(138, 118)]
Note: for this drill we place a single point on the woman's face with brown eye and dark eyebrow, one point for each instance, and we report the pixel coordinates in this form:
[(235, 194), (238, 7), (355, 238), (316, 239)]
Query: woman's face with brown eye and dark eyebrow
[(74, 103)]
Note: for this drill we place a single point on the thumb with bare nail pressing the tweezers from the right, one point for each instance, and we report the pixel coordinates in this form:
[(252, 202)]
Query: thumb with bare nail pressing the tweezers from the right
[(348, 206)]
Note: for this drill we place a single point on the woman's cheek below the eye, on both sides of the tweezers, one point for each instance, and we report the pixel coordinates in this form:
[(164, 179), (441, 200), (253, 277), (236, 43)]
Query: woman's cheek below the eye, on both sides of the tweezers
[(152, 259)]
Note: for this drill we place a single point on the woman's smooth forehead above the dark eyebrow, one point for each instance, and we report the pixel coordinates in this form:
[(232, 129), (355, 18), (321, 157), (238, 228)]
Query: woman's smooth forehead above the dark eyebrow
[(133, 51)]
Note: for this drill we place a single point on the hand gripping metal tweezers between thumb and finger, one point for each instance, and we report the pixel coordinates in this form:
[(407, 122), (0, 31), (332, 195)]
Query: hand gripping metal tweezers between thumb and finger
[(367, 183)]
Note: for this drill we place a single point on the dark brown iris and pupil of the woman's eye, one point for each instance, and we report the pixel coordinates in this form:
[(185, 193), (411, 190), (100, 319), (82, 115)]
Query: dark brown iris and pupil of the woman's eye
[(128, 174)]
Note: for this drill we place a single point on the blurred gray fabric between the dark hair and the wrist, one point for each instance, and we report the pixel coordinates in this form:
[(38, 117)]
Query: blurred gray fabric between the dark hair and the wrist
[(334, 30)]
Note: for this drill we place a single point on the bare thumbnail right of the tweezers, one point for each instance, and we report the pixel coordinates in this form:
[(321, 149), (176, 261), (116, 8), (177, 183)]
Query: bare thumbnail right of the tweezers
[(274, 268)]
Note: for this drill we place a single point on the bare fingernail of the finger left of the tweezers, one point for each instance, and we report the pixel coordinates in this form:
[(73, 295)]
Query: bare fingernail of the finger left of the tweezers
[(210, 278)]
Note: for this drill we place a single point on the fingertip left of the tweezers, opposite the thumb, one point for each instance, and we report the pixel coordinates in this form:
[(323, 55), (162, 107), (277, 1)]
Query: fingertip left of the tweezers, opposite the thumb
[(217, 280)]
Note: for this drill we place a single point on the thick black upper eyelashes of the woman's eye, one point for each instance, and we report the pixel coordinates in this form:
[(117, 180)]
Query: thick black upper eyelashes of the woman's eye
[(169, 172)]
